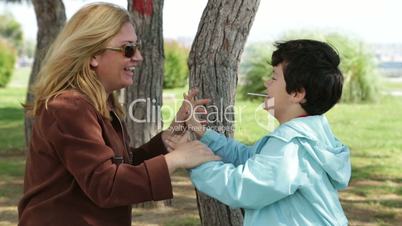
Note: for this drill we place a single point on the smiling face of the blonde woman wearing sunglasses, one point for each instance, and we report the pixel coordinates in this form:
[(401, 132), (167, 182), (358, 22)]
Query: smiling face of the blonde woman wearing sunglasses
[(113, 68)]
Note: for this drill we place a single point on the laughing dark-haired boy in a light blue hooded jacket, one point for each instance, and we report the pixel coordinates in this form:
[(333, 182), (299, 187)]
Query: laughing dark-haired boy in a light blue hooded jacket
[(291, 176)]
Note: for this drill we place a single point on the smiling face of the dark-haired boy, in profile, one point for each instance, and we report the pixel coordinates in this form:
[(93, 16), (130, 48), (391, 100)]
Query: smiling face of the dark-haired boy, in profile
[(278, 100)]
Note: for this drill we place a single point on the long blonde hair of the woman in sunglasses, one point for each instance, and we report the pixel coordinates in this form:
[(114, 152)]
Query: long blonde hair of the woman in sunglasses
[(67, 63)]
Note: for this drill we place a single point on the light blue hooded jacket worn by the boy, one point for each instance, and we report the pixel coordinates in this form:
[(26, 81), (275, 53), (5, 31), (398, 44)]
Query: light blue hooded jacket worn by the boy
[(289, 177)]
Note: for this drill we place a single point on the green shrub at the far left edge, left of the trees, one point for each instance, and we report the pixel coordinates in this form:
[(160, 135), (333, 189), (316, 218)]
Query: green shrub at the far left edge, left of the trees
[(7, 61)]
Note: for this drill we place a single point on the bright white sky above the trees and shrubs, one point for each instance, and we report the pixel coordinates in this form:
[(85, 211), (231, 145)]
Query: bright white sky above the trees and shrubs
[(372, 21)]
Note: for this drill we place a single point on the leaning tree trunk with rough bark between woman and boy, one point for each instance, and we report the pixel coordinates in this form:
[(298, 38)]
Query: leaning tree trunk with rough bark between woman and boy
[(213, 62)]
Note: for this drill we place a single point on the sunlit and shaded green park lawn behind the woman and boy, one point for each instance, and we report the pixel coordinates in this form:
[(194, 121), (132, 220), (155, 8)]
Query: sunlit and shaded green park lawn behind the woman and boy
[(372, 131)]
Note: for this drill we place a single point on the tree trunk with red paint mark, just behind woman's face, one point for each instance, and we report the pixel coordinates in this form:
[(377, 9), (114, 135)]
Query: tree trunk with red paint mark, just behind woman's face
[(144, 98)]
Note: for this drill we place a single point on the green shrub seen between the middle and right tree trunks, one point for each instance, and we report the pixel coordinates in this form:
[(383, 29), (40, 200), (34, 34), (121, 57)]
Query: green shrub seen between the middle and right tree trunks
[(176, 69)]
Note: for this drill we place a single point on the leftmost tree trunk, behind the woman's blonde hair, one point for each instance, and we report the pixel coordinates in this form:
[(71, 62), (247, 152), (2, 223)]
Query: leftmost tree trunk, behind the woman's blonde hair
[(50, 17)]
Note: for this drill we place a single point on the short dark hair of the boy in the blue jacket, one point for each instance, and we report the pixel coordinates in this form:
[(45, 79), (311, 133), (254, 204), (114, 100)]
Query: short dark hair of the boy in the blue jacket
[(313, 66)]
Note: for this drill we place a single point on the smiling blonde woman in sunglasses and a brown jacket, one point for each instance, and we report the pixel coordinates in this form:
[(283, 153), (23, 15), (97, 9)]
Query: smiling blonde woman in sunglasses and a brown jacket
[(79, 169)]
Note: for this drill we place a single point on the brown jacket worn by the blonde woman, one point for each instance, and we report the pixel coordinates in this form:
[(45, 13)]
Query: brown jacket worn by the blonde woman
[(78, 169)]
